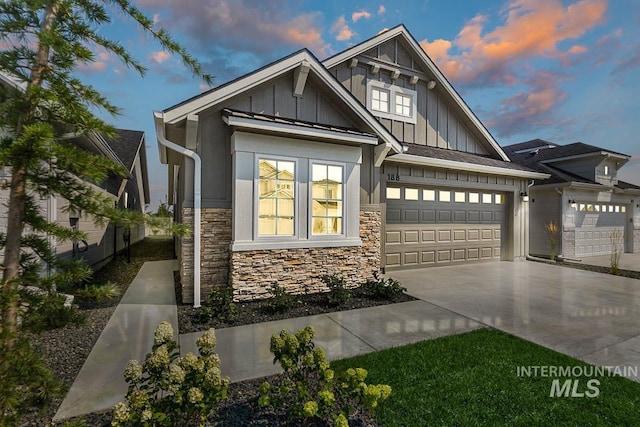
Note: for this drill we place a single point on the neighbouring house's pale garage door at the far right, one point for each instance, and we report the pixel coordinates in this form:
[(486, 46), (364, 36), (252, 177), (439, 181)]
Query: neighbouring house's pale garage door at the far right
[(596, 225)]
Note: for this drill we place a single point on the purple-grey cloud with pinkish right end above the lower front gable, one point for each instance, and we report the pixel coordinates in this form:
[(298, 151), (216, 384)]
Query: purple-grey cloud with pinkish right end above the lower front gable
[(242, 25)]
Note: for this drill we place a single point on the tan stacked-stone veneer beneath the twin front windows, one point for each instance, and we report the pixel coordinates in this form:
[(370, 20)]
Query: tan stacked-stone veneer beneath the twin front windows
[(298, 270)]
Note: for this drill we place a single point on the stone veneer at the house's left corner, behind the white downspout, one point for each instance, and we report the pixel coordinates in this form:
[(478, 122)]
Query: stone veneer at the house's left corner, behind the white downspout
[(214, 249)]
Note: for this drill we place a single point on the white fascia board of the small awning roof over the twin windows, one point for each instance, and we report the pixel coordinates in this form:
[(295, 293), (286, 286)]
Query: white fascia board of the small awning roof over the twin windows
[(289, 129)]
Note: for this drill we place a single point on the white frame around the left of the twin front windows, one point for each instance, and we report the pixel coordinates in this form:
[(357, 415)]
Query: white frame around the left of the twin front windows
[(256, 200)]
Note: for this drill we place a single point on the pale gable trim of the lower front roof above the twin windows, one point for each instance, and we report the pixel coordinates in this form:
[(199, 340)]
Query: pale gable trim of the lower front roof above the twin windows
[(303, 57)]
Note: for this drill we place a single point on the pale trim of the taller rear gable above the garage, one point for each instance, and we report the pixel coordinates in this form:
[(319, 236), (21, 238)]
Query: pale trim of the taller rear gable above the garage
[(401, 32)]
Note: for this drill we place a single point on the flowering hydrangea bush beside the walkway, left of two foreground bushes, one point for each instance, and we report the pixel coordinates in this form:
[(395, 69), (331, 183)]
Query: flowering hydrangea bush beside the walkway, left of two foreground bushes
[(170, 390)]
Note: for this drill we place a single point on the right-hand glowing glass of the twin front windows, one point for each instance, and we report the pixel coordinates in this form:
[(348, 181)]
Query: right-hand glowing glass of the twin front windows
[(327, 200)]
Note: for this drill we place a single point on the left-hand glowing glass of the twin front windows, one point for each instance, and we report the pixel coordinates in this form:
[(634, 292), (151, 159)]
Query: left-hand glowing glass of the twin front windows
[(276, 198)]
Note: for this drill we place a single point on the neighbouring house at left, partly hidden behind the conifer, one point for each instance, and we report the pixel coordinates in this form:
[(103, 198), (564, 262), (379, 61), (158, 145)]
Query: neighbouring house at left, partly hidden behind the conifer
[(103, 241)]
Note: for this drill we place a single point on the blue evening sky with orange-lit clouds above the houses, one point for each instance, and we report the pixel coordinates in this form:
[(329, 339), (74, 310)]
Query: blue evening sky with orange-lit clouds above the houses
[(561, 70)]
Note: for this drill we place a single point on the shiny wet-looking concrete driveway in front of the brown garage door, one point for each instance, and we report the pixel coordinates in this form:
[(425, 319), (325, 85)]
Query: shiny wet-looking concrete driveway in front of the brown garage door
[(591, 316)]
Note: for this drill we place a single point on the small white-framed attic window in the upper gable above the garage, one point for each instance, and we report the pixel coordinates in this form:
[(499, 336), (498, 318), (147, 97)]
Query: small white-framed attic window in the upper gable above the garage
[(391, 102)]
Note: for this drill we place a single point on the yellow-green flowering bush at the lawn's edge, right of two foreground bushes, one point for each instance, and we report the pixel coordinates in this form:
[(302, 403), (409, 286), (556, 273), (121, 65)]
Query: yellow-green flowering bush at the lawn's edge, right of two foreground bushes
[(309, 390)]
